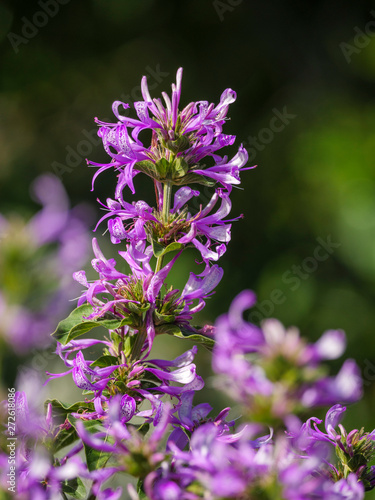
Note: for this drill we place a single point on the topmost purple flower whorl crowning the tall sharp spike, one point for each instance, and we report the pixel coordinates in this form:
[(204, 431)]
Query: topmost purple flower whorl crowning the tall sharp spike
[(180, 140)]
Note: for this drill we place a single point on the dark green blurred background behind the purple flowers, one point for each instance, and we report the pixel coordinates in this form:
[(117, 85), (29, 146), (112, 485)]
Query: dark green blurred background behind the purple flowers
[(304, 73)]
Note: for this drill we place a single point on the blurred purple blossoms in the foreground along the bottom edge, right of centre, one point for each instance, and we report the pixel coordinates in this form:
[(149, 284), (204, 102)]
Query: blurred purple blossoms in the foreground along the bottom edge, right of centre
[(247, 468)]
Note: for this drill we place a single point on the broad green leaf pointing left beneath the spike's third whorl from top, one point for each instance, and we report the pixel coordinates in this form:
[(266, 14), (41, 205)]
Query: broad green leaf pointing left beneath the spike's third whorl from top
[(75, 324)]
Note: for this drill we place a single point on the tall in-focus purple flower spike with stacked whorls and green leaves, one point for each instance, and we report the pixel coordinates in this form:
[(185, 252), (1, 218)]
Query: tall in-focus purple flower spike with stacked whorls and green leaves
[(138, 304)]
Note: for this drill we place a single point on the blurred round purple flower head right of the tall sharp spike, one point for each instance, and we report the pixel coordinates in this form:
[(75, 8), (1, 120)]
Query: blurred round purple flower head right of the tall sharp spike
[(273, 371)]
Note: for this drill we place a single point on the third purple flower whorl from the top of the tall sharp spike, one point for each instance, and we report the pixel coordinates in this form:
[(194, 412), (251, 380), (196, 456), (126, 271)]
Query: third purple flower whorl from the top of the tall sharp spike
[(139, 297)]
